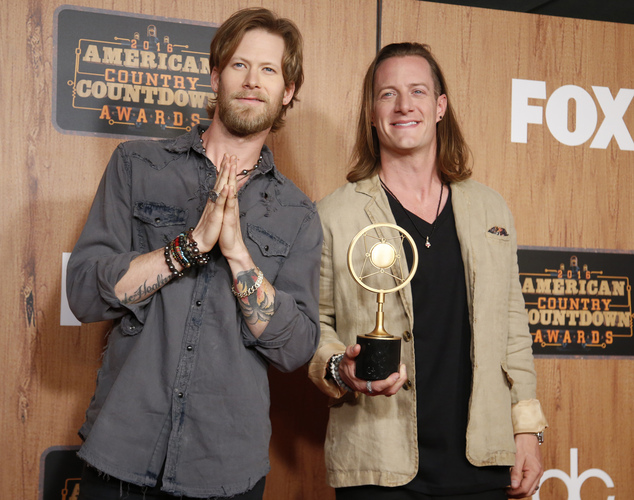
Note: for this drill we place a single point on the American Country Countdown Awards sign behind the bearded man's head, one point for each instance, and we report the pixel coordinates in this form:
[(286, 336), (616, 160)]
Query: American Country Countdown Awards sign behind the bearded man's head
[(132, 75)]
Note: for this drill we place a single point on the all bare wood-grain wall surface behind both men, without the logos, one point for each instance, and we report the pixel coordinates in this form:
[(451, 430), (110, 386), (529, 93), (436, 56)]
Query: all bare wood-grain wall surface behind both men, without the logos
[(561, 196)]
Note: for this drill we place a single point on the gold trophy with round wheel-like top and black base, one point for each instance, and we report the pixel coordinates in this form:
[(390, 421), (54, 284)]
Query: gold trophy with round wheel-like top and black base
[(383, 263)]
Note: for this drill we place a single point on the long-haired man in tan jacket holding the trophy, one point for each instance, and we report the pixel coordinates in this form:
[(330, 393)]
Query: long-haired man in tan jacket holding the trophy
[(461, 411)]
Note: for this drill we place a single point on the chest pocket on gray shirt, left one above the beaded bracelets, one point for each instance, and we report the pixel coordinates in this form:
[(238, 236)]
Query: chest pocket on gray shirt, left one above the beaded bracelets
[(157, 223)]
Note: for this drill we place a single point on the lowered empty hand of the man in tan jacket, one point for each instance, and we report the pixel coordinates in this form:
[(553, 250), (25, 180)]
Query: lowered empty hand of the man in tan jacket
[(528, 469)]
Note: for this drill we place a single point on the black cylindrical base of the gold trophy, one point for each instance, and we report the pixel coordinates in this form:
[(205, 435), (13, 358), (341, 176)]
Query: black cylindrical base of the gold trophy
[(379, 357)]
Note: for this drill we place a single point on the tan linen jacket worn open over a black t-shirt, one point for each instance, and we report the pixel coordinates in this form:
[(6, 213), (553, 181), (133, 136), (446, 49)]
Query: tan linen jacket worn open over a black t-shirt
[(374, 440)]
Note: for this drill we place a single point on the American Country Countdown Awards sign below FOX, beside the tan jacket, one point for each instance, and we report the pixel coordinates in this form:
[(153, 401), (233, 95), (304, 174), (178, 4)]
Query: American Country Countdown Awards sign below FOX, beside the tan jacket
[(578, 303)]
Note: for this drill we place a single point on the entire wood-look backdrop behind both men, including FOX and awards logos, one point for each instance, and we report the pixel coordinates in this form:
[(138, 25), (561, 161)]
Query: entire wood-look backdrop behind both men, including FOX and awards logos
[(546, 108)]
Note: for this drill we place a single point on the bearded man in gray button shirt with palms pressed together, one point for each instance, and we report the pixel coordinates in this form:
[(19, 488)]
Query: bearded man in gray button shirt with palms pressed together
[(207, 259)]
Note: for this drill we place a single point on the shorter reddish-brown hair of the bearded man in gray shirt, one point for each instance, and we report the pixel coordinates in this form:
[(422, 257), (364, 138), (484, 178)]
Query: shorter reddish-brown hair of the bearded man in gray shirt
[(230, 34)]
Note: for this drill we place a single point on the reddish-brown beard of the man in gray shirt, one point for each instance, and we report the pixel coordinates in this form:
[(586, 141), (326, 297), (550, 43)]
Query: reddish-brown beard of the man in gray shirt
[(243, 120)]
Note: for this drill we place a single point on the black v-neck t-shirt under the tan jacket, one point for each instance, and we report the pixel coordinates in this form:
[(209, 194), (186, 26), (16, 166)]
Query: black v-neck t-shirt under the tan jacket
[(442, 342)]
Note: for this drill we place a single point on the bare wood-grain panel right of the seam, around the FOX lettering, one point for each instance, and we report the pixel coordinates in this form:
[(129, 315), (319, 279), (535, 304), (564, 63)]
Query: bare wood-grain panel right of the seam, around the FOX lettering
[(561, 196)]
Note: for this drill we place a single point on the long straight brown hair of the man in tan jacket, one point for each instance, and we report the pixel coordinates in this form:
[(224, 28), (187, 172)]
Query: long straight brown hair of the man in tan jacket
[(452, 152)]
